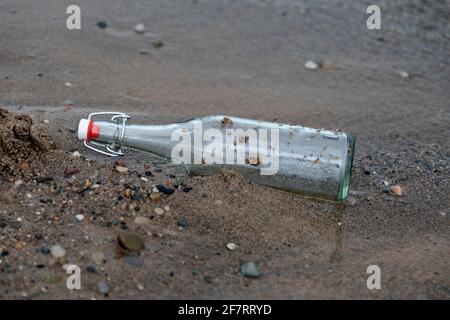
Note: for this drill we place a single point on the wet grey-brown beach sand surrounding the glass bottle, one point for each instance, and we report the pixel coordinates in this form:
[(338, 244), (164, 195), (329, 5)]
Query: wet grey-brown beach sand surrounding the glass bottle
[(243, 59)]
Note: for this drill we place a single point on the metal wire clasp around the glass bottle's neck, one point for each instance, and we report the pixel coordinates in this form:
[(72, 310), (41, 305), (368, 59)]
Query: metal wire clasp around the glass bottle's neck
[(113, 149)]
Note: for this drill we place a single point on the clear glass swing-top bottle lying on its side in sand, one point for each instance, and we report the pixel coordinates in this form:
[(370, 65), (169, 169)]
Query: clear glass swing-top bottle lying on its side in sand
[(293, 158)]
